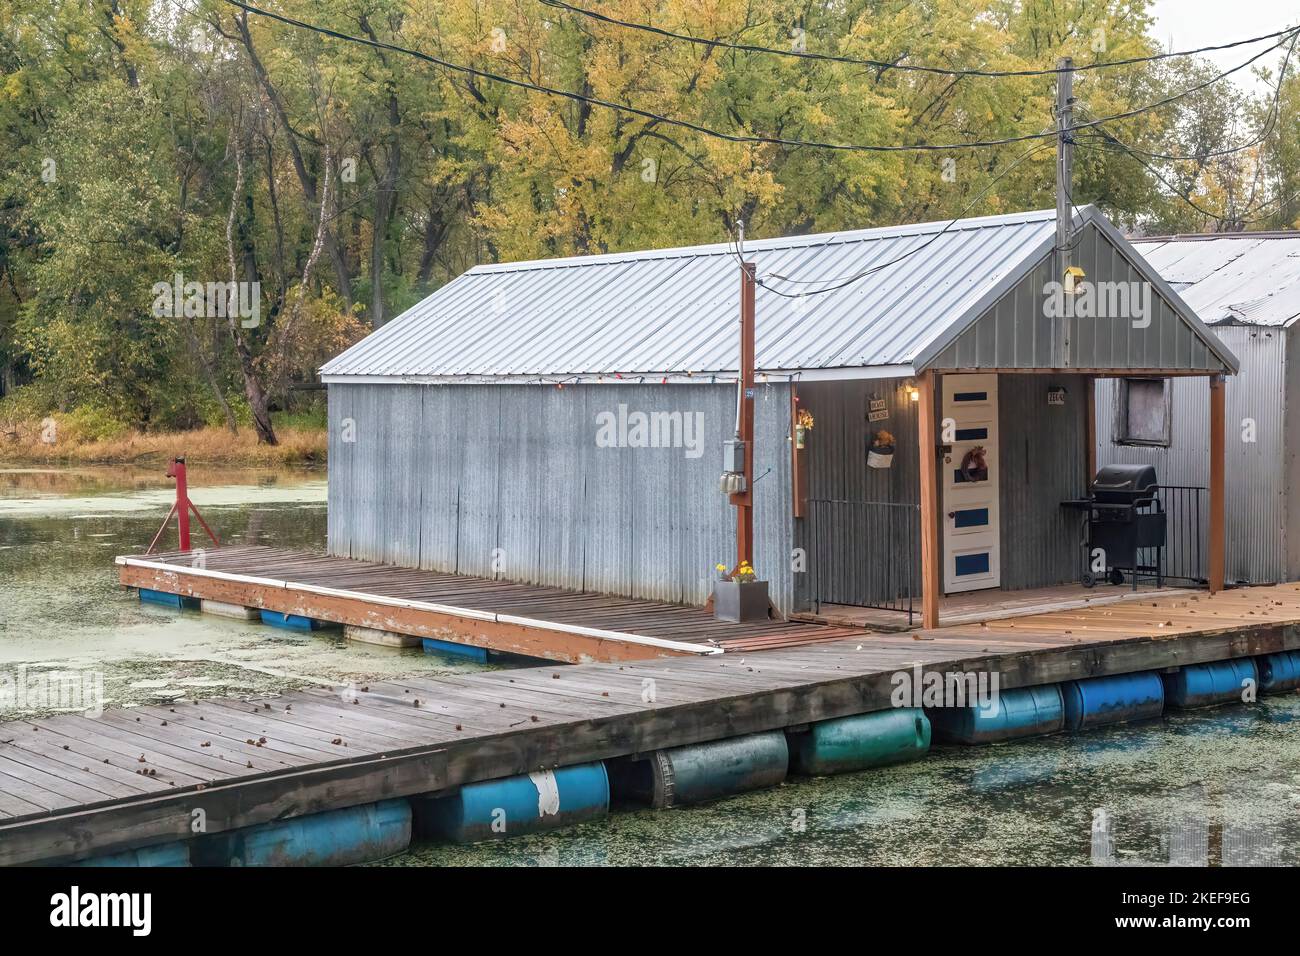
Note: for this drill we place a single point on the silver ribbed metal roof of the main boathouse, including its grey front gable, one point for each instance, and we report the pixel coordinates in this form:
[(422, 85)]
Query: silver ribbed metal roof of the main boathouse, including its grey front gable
[(917, 302)]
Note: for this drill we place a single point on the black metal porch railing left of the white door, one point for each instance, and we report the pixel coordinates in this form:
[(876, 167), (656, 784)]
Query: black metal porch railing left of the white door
[(864, 553)]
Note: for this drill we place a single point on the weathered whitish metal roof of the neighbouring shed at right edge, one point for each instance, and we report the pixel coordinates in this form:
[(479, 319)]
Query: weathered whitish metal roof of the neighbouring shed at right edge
[(1240, 279)]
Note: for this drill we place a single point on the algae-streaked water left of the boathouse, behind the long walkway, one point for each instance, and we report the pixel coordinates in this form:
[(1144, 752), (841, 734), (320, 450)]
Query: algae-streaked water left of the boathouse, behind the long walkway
[(62, 609)]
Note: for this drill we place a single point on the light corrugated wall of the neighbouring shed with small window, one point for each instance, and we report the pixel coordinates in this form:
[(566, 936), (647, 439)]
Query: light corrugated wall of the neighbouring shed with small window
[(1258, 473)]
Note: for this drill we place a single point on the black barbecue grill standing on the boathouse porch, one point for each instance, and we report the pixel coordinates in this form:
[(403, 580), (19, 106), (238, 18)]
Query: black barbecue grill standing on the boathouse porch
[(1126, 521)]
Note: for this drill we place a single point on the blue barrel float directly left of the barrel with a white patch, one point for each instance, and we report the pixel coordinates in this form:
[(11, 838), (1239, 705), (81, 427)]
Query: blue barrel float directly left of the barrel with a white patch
[(335, 838)]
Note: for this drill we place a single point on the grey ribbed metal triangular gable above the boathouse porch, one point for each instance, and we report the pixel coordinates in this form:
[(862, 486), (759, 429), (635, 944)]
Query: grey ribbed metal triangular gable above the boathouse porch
[(1017, 334)]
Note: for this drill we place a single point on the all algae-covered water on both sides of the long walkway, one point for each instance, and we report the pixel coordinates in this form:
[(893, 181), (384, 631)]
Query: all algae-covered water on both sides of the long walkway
[(1219, 788)]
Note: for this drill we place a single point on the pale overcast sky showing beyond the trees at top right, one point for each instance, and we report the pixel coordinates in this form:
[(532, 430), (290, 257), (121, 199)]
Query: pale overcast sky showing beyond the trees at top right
[(1201, 23)]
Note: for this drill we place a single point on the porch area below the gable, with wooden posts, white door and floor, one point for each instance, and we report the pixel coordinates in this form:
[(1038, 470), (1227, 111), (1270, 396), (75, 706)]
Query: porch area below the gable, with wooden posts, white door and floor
[(989, 524)]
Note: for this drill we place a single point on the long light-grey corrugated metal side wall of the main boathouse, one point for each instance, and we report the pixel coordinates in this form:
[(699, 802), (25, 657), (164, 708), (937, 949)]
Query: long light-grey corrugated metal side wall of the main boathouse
[(456, 478)]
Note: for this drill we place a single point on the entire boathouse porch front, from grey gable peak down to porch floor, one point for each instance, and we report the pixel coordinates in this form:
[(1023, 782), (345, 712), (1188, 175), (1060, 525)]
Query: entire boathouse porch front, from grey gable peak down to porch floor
[(954, 485)]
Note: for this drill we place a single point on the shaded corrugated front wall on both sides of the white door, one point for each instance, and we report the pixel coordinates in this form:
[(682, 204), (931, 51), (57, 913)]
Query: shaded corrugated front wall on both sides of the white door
[(855, 551)]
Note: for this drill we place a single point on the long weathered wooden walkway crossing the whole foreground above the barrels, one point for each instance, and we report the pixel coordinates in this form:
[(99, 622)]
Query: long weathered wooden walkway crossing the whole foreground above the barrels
[(75, 786)]
